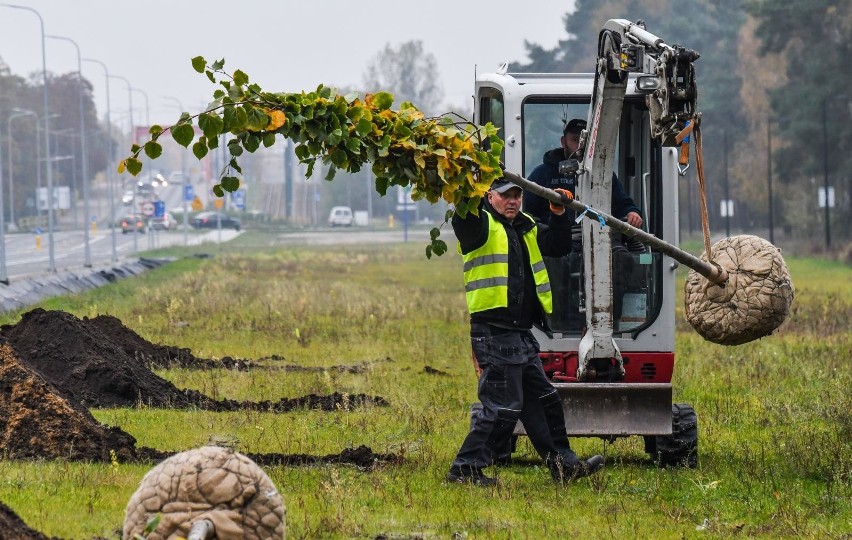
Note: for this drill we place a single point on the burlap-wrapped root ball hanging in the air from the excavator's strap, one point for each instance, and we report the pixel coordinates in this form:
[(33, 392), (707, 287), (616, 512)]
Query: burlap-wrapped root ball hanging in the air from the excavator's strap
[(751, 304)]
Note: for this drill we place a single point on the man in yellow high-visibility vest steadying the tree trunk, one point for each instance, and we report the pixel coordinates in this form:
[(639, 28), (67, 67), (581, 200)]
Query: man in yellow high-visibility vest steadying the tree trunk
[(507, 291)]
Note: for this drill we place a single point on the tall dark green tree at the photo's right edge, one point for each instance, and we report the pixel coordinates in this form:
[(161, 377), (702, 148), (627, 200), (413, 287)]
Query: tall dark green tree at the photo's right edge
[(815, 99)]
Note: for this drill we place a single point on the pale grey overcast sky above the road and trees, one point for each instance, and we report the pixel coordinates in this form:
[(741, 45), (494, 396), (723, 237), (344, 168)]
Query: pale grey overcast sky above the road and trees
[(283, 45)]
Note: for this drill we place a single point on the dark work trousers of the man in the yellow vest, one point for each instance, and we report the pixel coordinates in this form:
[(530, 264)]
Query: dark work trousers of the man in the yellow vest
[(512, 386)]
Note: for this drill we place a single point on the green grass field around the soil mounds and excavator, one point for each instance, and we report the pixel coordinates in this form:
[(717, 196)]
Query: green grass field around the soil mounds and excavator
[(775, 416)]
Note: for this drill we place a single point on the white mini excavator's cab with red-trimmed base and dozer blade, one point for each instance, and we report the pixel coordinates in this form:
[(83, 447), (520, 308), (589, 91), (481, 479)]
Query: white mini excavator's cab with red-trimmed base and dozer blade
[(626, 390)]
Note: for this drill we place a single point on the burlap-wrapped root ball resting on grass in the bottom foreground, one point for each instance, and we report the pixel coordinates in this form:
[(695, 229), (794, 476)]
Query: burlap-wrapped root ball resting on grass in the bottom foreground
[(213, 483)]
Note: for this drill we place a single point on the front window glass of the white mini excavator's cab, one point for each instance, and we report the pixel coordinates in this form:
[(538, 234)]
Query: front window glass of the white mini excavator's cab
[(637, 272)]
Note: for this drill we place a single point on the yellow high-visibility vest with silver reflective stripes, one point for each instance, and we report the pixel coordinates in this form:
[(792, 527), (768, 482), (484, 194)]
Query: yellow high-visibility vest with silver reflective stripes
[(486, 270)]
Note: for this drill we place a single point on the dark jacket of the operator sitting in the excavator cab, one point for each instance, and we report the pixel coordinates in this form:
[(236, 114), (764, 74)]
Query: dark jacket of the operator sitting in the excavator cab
[(547, 175)]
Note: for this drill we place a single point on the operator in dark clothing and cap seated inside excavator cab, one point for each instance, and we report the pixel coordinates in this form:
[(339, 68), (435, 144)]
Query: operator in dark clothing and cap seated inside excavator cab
[(547, 175)]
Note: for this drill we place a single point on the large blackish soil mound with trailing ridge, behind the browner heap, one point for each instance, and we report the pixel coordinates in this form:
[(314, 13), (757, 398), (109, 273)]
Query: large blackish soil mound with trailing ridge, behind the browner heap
[(97, 364)]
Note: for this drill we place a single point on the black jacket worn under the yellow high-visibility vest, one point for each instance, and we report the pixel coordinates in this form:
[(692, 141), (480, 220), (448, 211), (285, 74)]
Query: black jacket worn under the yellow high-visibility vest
[(524, 309)]
